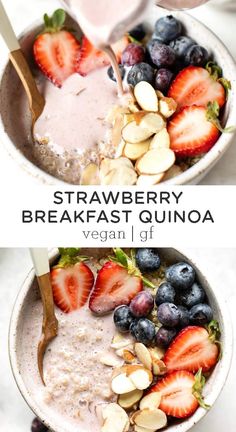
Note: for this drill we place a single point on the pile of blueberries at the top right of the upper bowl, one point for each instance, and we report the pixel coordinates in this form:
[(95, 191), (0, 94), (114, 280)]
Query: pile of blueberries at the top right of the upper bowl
[(160, 58)]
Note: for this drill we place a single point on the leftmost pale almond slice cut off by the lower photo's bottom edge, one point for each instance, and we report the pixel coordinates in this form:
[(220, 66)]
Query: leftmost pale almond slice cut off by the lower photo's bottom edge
[(115, 419)]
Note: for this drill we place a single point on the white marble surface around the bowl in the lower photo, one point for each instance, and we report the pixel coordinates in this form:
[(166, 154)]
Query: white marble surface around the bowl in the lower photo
[(217, 264)]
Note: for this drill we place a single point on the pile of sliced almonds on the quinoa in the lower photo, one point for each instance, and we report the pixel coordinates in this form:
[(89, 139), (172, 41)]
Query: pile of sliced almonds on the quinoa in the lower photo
[(134, 369)]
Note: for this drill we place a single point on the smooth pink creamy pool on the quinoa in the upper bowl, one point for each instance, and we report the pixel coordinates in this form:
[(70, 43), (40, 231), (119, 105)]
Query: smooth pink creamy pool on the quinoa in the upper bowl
[(74, 116)]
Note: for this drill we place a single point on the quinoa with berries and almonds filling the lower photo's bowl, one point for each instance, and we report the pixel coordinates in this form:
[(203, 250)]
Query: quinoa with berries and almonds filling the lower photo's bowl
[(137, 340)]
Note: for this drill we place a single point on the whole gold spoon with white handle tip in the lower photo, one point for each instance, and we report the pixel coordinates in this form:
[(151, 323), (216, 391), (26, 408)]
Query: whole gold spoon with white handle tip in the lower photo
[(50, 323)]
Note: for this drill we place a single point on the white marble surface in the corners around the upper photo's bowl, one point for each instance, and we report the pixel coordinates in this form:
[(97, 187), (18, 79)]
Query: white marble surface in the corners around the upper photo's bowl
[(222, 23)]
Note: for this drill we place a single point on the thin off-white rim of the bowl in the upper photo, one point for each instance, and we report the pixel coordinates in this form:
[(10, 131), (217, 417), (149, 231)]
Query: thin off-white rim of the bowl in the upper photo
[(187, 177)]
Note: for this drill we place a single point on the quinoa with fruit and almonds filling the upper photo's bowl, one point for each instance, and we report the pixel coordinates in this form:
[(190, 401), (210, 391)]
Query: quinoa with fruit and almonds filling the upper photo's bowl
[(167, 118)]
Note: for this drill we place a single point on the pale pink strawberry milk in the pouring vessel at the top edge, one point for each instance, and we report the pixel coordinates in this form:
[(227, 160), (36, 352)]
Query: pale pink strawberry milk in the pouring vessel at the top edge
[(105, 21)]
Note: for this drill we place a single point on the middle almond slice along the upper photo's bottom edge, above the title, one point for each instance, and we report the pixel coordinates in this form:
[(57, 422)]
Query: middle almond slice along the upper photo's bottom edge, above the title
[(120, 176)]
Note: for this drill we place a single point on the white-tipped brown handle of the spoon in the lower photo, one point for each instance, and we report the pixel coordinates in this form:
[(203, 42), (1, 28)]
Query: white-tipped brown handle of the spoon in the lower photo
[(42, 270)]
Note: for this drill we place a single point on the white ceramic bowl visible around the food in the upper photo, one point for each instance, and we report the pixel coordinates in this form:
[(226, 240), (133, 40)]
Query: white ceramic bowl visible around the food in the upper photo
[(204, 37)]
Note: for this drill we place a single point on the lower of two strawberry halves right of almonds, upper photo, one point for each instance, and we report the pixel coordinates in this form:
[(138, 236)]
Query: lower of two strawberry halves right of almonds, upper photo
[(191, 134)]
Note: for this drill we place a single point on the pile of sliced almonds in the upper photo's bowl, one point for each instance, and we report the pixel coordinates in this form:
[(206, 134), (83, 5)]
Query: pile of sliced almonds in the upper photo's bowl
[(142, 143)]
